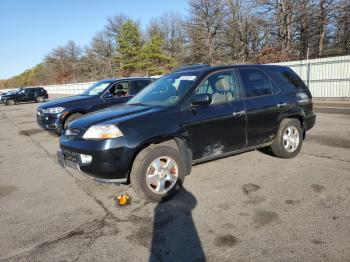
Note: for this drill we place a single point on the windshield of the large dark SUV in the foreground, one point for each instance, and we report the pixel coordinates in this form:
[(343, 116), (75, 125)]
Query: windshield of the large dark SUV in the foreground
[(166, 91)]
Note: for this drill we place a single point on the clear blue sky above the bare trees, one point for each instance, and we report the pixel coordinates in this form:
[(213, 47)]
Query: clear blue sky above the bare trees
[(29, 29)]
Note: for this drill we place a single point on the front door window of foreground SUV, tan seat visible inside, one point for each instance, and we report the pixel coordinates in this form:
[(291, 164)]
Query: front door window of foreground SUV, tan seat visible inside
[(222, 86)]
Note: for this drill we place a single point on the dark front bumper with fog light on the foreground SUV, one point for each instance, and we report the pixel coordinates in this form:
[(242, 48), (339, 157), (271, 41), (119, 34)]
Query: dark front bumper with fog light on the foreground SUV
[(111, 158)]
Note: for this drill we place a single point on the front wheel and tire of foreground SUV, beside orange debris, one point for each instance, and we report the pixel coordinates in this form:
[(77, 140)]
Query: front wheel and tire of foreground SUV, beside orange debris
[(142, 169)]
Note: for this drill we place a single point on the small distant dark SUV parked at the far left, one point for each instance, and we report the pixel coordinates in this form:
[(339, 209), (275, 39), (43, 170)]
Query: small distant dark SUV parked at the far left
[(30, 94)]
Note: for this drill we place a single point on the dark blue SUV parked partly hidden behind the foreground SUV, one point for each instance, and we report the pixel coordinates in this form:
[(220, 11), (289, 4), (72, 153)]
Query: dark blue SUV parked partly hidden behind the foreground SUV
[(56, 114)]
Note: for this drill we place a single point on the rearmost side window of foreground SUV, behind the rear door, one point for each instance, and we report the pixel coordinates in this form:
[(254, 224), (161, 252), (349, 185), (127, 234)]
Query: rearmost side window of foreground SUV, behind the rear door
[(288, 78)]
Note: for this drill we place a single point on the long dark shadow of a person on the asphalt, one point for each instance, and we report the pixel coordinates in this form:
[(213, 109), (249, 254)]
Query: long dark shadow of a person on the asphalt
[(175, 237)]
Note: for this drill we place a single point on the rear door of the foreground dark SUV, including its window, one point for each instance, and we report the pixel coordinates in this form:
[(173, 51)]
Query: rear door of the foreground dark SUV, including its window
[(264, 103)]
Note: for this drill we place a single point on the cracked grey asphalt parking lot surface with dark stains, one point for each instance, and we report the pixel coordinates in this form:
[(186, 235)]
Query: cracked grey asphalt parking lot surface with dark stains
[(248, 207)]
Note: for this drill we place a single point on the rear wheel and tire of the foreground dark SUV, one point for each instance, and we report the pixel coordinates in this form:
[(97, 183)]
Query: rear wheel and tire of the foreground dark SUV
[(289, 139)]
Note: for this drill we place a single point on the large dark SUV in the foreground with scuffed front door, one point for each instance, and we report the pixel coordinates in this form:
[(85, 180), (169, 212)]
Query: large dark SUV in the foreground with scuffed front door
[(186, 117)]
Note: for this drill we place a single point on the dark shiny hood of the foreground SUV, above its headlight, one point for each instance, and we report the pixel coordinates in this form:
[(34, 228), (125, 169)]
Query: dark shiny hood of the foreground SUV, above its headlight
[(113, 115)]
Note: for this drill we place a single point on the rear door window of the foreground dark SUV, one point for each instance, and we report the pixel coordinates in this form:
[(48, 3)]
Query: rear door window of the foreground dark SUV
[(255, 82)]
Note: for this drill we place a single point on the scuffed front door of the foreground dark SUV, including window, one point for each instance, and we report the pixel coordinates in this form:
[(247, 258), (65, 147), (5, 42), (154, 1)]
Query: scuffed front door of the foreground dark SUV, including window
[(220, 127)]
